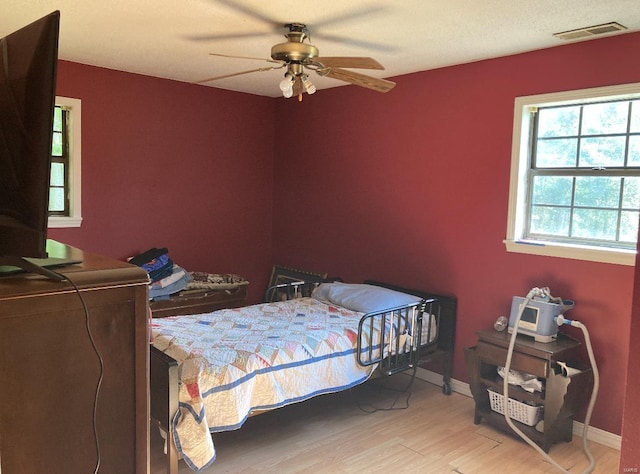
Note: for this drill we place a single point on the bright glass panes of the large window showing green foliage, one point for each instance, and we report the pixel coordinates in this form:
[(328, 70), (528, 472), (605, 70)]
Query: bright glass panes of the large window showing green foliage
[(585, 174)]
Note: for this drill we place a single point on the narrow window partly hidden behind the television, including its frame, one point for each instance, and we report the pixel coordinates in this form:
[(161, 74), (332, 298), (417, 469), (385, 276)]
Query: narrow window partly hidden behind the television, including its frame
[(64, 188)]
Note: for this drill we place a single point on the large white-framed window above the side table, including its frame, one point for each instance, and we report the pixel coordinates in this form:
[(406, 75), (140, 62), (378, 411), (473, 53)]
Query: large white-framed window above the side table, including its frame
[(575, 175)]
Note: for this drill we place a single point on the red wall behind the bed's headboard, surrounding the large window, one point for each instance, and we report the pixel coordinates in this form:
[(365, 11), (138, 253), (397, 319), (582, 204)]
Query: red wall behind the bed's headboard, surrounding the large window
[(412, 187)]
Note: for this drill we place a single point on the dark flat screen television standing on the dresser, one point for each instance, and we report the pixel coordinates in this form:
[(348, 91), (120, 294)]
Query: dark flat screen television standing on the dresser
[(28, 68)]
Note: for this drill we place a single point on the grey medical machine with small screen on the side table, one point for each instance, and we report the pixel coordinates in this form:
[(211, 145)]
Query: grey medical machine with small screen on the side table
[(539, 316)]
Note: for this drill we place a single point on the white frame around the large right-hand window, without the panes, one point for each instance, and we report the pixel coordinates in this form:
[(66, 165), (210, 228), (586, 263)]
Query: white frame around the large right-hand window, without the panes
[(520, 162)]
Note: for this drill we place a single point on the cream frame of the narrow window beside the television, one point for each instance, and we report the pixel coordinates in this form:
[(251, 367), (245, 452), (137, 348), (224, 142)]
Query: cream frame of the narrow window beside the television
[(75, 160)]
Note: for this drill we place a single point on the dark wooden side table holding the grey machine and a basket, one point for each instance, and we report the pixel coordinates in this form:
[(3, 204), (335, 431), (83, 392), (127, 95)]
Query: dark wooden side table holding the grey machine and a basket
[(560, 398)]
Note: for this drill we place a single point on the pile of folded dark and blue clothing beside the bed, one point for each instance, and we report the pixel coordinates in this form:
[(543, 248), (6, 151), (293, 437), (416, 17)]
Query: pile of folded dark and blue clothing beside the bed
[(166, 278)]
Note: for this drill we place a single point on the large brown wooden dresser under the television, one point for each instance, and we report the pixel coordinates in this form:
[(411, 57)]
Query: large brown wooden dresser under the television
[(74, 369)]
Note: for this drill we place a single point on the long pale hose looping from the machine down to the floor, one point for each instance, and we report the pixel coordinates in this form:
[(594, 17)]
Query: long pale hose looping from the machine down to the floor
[(594, 393)]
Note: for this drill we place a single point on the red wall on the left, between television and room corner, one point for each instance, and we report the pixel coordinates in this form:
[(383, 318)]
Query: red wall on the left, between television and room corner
[(169, 164)]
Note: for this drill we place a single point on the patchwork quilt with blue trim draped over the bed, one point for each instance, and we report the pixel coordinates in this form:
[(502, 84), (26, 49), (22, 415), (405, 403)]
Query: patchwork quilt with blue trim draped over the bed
[(238, 361)]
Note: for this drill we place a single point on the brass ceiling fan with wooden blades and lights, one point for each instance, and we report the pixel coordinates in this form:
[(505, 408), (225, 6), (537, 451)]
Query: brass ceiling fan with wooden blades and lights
[(297, 56)]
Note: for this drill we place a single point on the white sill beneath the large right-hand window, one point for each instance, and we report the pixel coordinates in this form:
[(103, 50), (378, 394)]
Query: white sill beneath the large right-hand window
[(593, 254)]
